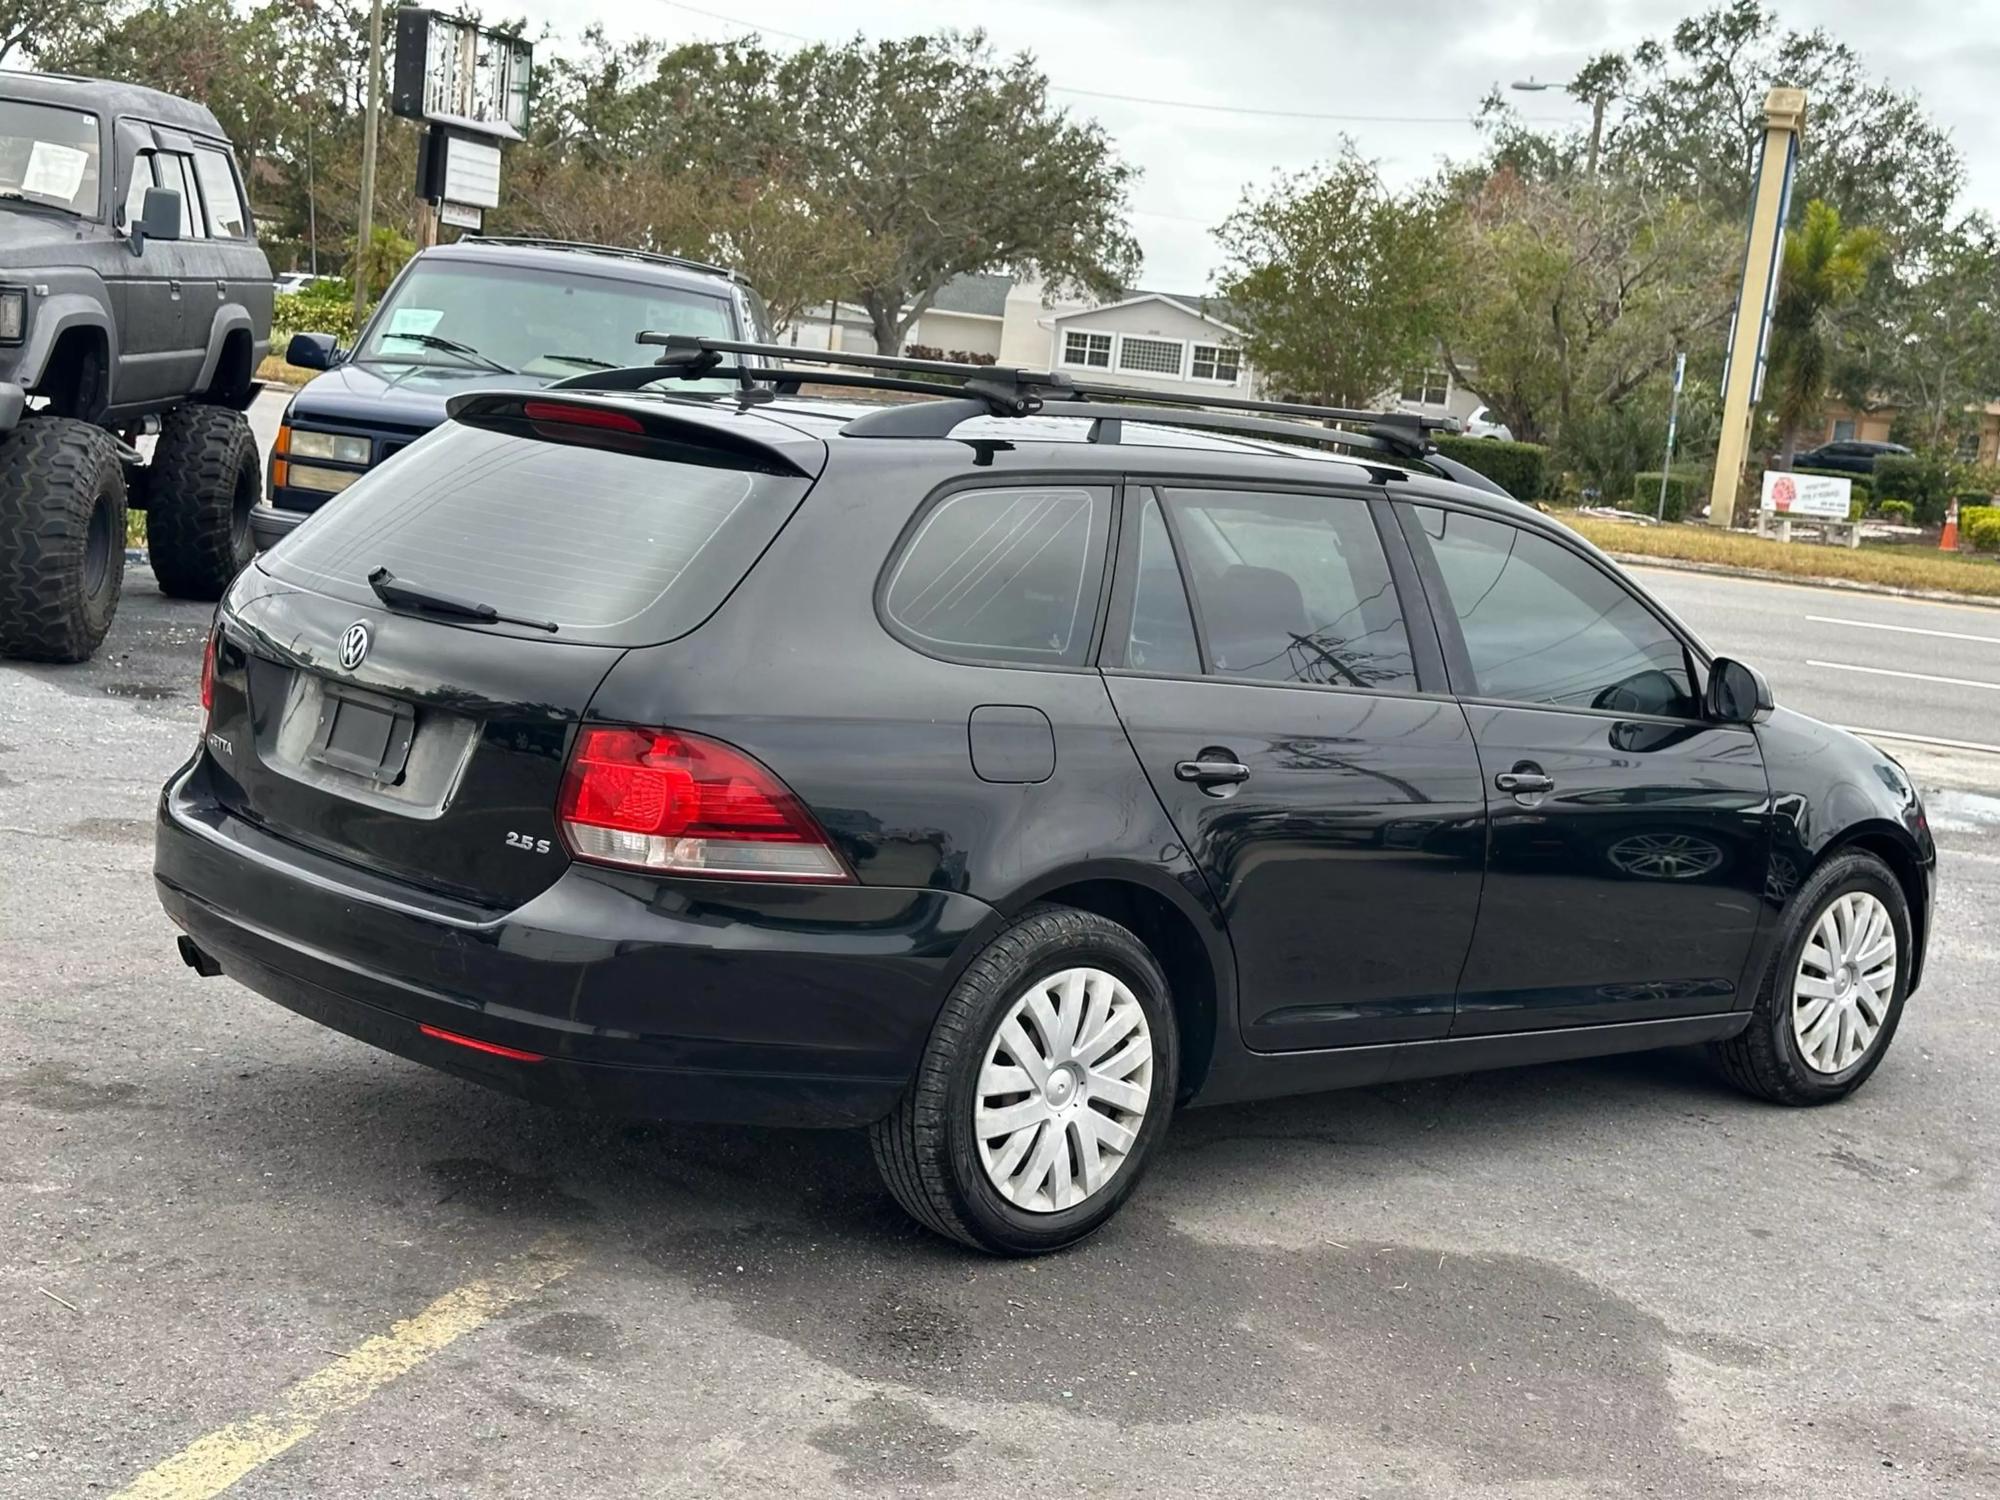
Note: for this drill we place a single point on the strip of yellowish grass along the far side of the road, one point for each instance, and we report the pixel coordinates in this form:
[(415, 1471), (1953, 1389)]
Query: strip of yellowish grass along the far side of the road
[(1897, 565)]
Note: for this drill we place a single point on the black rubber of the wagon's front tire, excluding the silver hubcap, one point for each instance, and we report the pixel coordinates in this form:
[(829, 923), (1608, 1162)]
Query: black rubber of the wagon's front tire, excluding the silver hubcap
[(1765, 1059)]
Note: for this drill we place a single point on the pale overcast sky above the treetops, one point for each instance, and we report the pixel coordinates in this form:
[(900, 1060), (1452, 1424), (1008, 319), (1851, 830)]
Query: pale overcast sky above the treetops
[(1407, 73)]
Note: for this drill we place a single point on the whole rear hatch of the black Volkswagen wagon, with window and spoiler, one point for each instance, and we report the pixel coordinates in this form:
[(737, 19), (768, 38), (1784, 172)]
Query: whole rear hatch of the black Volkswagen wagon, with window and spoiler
[(431, 747)]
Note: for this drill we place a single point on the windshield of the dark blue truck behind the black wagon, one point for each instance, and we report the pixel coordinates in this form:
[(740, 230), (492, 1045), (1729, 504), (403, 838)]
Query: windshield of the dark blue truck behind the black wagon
[(531, 323)]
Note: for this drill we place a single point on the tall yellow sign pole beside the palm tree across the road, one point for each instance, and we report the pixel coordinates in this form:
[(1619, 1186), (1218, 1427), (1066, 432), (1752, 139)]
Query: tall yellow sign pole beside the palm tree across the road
[(1743, 377)]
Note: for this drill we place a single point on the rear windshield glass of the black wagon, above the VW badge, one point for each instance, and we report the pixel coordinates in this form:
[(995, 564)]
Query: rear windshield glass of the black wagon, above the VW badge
[(615, 549)]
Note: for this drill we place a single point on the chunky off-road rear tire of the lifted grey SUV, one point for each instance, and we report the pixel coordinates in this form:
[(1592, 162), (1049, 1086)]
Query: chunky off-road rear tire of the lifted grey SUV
[(199, 497)]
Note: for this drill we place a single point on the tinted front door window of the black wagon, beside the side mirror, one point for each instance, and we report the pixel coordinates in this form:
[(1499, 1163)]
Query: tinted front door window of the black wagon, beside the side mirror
[(1545, 627)]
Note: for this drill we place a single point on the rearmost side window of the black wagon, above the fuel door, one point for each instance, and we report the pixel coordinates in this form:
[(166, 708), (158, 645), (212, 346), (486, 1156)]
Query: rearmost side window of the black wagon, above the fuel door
[(1007, 575)]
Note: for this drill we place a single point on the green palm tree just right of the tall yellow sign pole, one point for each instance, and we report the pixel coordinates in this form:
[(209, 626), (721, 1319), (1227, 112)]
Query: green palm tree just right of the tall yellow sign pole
[(1825, 267)]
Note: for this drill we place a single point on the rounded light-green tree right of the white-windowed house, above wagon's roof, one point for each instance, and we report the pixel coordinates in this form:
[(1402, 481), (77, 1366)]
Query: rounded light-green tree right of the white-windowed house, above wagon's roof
[(1333, 281)]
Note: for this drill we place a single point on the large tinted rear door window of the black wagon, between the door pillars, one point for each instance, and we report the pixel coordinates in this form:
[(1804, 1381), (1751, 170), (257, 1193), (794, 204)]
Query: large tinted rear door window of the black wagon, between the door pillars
[(1293, 589)]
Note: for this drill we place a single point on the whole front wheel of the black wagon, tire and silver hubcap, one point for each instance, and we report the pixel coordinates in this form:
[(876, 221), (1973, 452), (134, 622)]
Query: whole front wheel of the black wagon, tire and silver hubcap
[(1835, 989)]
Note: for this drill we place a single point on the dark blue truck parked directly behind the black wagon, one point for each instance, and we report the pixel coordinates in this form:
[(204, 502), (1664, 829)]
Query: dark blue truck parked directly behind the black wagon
[(481, 313)]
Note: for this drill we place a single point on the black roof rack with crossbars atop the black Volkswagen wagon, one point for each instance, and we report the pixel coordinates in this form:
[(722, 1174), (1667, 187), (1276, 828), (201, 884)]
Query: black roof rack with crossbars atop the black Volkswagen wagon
[(1003, 391)]
